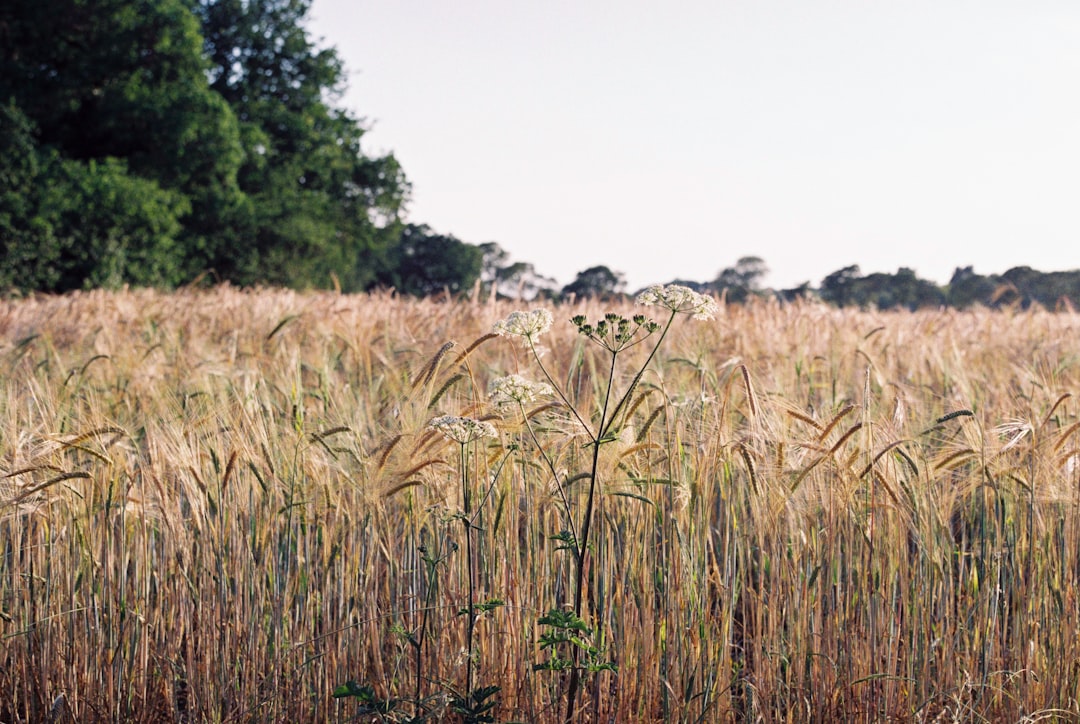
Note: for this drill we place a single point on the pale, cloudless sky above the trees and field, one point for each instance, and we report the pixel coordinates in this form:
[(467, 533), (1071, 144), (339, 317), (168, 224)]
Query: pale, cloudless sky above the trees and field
[(668, 140)]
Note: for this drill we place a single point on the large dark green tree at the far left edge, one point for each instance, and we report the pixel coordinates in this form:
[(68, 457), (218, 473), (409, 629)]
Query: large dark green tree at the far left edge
[(117, 136)]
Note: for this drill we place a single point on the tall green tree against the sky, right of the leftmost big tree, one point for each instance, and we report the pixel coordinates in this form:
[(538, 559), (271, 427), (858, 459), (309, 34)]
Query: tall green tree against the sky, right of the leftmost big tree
[(315, 195)]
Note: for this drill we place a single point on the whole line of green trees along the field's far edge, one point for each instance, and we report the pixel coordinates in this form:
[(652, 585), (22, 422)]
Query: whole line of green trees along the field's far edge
[(160, 142)]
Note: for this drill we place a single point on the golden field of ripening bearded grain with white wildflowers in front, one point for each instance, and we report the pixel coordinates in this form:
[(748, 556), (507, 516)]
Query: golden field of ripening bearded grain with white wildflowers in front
[(228, 506)]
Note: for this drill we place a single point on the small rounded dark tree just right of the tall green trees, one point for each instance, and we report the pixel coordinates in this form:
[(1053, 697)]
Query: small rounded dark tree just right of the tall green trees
[(424, 263)]
